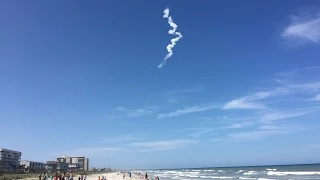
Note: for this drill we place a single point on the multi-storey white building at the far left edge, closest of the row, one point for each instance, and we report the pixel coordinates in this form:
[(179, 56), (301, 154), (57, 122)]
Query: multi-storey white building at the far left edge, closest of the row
[(9, 159)]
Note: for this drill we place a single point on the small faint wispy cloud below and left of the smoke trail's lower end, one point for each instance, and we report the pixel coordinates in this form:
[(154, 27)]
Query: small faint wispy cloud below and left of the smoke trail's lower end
[(137, 112)]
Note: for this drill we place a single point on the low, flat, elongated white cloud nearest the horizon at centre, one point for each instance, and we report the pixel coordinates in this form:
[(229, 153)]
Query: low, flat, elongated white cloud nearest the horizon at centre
[(163, 145)]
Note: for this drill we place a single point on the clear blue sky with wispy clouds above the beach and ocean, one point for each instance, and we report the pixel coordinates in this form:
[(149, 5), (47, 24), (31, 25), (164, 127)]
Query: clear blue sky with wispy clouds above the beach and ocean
[(81, 78)]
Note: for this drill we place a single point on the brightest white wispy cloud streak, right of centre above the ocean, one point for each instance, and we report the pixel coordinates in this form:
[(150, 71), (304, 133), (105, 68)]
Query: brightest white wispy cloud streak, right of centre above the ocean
[(251, 101)]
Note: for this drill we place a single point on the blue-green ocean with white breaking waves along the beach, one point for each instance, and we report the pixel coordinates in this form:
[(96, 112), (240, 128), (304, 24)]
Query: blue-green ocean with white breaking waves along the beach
[(289, 172)]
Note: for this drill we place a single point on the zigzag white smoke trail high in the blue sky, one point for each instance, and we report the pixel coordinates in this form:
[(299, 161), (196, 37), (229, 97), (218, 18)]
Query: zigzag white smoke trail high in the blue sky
[(174, 40)]
